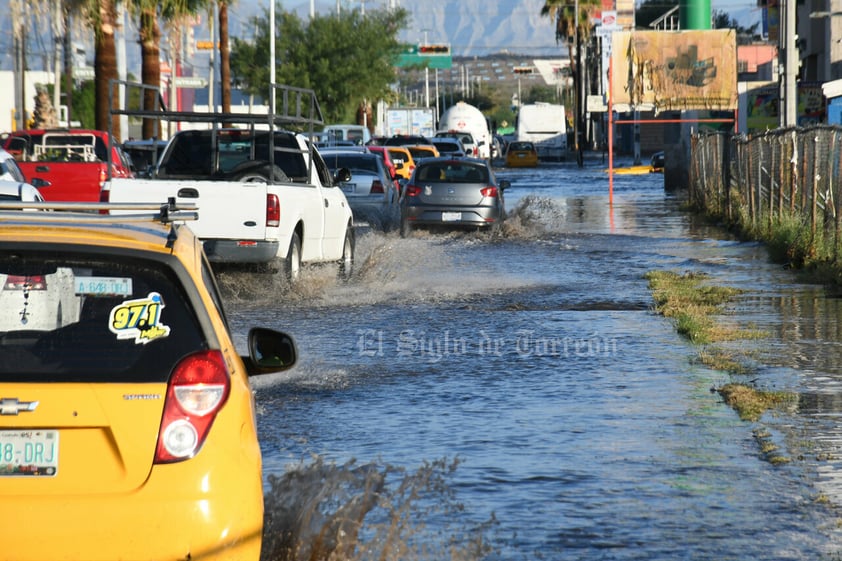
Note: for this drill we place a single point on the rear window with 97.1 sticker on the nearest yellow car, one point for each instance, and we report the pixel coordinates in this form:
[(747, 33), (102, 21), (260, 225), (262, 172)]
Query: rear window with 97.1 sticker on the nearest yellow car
[(79, 317)]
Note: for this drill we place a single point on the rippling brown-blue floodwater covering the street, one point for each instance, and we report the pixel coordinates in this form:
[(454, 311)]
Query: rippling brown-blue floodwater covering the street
[(465, 397)]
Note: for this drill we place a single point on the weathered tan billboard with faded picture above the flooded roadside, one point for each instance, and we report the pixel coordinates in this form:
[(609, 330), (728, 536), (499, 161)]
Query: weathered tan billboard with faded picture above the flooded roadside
[(675, 70)]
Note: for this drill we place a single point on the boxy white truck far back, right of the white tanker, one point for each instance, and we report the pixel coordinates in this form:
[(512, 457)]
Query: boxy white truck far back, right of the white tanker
[(545, 125)]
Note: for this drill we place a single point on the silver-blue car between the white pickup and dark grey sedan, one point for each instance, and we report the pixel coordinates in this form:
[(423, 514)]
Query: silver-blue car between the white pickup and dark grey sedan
[(369, 190)]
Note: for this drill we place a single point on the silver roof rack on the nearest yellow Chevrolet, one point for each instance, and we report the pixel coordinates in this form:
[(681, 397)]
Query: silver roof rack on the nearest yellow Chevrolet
[(166, 213)]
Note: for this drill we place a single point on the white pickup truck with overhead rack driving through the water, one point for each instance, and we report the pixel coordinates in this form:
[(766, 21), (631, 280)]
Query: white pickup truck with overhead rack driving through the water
[(253, 209)]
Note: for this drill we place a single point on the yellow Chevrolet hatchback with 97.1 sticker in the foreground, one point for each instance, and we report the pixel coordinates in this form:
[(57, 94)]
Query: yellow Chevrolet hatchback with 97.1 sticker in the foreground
[(127, 420)]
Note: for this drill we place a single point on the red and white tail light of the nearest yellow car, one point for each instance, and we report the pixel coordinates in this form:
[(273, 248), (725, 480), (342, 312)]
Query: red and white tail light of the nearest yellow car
[(198, 388)]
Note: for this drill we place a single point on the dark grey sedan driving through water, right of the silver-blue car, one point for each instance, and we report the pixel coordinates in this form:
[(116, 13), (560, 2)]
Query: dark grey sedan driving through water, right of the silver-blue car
[(453, 193)]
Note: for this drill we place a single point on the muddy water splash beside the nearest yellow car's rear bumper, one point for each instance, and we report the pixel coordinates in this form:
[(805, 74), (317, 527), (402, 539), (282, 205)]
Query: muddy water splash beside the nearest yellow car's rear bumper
[(329, 512)]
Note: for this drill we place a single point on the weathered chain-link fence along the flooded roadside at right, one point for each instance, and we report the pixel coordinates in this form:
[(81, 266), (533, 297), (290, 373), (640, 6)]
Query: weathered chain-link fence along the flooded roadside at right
[(759, 180)]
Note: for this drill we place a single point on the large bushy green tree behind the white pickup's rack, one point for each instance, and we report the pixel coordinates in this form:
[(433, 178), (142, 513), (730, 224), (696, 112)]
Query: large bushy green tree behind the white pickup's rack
[(345, 60)]
